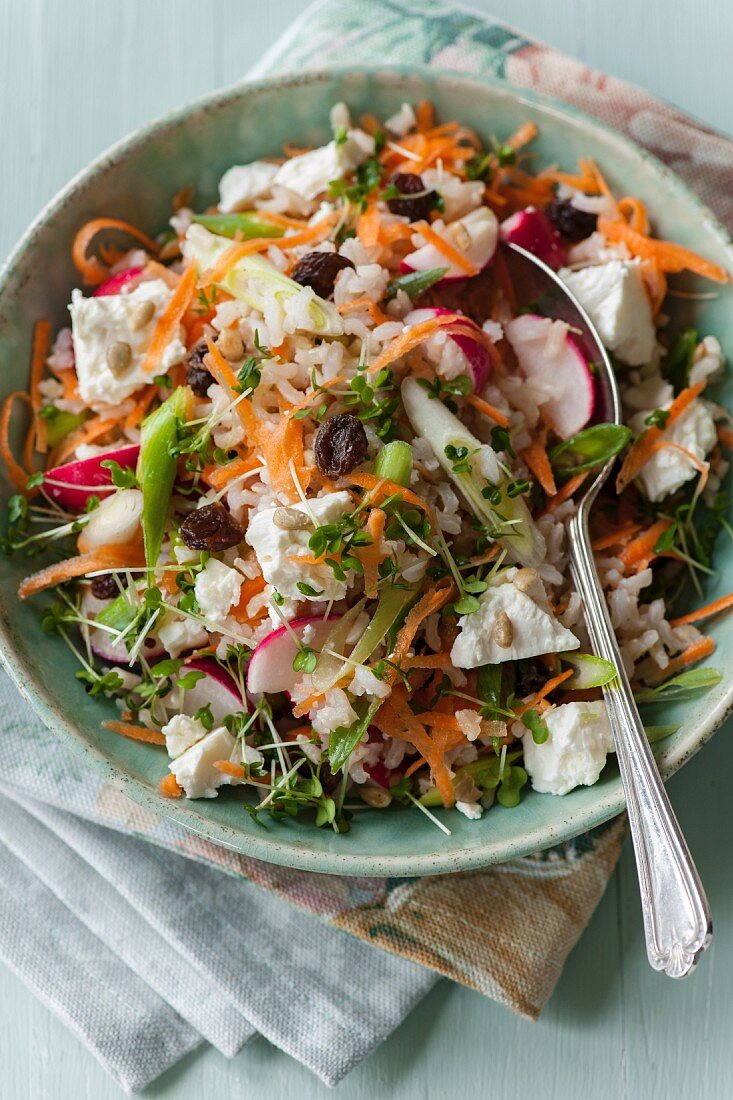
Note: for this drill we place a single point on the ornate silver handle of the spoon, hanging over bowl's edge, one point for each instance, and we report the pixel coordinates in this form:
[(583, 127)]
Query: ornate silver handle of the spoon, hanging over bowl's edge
[(677, 920)]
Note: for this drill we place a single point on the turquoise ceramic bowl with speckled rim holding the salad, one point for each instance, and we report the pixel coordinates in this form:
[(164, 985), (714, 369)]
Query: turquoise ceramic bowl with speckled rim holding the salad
[(136, 181)]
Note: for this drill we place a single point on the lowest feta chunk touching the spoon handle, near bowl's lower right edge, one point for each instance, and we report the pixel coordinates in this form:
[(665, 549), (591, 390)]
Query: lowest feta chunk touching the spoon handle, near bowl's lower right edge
[(575, 753)]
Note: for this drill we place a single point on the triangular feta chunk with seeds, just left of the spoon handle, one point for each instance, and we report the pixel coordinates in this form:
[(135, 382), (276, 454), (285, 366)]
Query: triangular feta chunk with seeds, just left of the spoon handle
[(535, 630)]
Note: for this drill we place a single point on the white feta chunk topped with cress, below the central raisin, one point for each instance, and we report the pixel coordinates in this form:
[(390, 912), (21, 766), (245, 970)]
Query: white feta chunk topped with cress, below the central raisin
[(279, 551)]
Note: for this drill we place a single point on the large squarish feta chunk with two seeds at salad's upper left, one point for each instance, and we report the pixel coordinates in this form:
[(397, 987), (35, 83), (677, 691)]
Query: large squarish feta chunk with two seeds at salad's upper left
[(99, 323)]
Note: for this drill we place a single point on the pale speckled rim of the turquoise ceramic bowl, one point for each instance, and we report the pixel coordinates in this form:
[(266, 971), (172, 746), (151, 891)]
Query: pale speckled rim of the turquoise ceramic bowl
[(293, 852)]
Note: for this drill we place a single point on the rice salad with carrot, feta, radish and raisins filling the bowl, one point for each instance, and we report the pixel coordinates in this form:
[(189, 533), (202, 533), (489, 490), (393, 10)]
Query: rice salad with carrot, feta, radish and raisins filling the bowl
[(301, 468)]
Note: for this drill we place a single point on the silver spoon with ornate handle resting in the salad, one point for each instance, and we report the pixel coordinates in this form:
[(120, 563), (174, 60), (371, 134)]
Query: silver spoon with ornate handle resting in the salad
[(677, 920)]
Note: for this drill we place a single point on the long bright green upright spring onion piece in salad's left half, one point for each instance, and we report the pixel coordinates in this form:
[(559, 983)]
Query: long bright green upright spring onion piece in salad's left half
[(157, 469)]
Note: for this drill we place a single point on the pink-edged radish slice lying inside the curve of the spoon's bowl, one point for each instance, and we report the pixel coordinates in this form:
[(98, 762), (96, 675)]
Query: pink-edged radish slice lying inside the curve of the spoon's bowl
[(549, 353)]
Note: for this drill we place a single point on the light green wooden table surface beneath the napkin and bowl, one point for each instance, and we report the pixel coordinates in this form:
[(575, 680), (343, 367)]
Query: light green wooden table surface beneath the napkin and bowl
[(75, 75)]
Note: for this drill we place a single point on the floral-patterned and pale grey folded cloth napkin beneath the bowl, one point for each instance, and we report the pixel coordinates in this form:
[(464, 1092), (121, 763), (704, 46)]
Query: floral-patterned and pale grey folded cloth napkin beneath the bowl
[(125, 925)]
